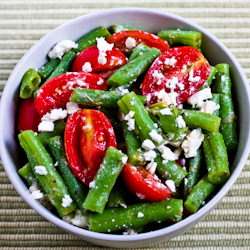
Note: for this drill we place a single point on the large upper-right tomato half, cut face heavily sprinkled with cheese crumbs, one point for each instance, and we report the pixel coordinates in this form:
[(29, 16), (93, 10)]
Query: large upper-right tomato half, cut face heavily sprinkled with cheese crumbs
[(184, 77)]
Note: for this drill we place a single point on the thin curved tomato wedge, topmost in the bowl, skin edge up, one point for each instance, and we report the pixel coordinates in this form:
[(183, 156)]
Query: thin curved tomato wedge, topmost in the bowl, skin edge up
[(151, 40)]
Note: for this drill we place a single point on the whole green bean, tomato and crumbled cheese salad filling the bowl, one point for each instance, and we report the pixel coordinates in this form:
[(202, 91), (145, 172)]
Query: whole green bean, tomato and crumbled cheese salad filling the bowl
[(126, 131)]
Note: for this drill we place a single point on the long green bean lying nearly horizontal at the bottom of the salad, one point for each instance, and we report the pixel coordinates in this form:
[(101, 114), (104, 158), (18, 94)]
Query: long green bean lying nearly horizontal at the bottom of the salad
[(137, 215)]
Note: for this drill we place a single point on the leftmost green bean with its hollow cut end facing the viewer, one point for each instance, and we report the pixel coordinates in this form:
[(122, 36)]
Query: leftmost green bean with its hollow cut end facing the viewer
[(29, 84)]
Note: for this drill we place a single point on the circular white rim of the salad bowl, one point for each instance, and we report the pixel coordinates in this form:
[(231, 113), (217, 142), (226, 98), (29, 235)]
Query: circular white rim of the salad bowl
[(20, 187)]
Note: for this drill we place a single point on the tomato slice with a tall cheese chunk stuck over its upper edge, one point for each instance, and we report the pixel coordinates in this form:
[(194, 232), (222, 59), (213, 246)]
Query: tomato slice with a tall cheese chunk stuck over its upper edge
[(114, 58)]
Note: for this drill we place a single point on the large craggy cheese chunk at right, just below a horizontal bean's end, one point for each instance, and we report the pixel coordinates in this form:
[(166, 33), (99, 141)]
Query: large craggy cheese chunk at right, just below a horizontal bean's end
[(192, 143)]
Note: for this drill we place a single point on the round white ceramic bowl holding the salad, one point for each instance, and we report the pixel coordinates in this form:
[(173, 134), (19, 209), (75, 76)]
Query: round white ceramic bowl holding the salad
[(147, 20)]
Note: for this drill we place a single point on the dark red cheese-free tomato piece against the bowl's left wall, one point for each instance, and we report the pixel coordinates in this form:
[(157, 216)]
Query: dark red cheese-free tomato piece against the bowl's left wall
[(28, 117)]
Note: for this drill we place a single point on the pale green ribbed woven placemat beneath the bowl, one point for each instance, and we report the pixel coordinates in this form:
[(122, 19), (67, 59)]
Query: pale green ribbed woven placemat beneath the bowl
[(23, 22)]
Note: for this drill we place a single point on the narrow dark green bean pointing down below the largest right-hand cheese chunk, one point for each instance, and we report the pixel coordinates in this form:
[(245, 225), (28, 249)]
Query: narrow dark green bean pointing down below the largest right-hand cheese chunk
[(193, 172)]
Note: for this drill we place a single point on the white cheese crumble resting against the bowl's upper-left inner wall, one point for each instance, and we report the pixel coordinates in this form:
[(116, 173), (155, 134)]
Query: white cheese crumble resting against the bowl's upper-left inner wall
[(61, 48)]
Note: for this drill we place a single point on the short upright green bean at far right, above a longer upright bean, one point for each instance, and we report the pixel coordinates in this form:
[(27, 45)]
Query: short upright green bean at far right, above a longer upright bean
[(223, 82)]
